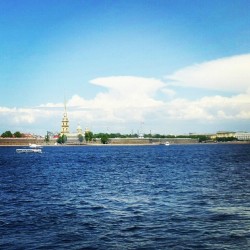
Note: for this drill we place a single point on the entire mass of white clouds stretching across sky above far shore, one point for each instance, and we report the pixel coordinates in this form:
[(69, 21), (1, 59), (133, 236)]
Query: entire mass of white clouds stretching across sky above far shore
[(127, 101)]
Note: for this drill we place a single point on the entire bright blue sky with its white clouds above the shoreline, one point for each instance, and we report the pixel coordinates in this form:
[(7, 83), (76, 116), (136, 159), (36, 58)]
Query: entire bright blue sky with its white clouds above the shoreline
[(125, 66)]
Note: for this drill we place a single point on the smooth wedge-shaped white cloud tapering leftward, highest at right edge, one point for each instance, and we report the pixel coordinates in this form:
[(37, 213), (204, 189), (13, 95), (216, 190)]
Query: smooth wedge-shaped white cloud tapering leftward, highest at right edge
[(227, 74)]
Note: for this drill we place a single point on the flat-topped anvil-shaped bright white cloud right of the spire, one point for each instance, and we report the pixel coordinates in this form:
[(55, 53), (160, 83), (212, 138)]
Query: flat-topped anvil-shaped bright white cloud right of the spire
[(127, 98)]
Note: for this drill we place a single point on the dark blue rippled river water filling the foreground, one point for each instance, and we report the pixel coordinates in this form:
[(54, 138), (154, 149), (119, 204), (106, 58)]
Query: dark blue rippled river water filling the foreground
[(137, 197)]
